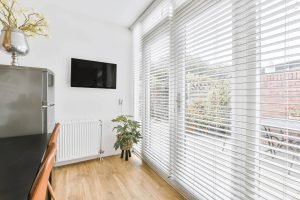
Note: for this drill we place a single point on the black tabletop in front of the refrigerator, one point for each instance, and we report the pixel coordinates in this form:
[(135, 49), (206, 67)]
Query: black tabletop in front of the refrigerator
[(20, 159)]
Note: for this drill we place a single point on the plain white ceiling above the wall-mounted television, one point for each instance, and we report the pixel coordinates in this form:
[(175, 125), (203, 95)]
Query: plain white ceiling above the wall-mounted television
[(120, 12)]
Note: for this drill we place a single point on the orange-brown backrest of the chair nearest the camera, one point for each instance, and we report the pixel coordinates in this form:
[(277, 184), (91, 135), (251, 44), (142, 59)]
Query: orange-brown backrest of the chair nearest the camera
[(39, 188)]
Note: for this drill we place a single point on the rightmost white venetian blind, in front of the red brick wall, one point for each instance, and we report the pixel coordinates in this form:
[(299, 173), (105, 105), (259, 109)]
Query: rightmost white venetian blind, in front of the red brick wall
[(278, 80)]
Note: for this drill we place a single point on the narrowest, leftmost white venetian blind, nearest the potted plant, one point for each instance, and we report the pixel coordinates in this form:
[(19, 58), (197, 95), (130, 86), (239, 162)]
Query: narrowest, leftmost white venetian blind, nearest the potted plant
[(156, 72)]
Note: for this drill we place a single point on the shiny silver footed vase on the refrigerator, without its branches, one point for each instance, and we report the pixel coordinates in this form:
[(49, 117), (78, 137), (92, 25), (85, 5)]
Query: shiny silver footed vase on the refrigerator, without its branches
[(14, 41)]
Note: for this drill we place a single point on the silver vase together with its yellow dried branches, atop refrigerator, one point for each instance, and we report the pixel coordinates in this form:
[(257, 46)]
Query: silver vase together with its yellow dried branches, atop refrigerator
[(19, 23)]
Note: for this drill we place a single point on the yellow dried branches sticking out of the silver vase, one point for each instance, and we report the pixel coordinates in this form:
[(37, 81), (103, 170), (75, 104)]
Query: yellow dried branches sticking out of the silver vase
[(30, 22)]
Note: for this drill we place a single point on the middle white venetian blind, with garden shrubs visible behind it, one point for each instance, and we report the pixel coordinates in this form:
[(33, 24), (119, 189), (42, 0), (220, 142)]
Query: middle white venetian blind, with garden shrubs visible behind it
[(203, 36)]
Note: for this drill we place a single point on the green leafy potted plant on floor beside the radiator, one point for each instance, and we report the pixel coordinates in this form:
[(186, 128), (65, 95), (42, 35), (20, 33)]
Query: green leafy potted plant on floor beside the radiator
[(128, 133)]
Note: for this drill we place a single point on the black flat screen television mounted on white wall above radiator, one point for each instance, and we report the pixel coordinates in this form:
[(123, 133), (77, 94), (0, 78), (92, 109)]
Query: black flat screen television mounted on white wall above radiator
[(93, 74)]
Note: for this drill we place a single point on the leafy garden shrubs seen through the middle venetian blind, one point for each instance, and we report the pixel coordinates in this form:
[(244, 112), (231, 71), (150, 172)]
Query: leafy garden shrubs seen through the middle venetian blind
[(209, 103)]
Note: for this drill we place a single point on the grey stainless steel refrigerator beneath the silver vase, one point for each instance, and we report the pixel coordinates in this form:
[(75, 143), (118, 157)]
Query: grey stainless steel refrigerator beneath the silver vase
[(26, 101)]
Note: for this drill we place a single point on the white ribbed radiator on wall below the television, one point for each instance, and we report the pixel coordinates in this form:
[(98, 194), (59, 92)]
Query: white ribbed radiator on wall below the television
[(78, 141)]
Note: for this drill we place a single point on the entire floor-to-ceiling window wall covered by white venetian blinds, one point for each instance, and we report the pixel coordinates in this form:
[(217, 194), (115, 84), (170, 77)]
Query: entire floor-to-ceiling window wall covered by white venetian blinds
[(221, 97)]
